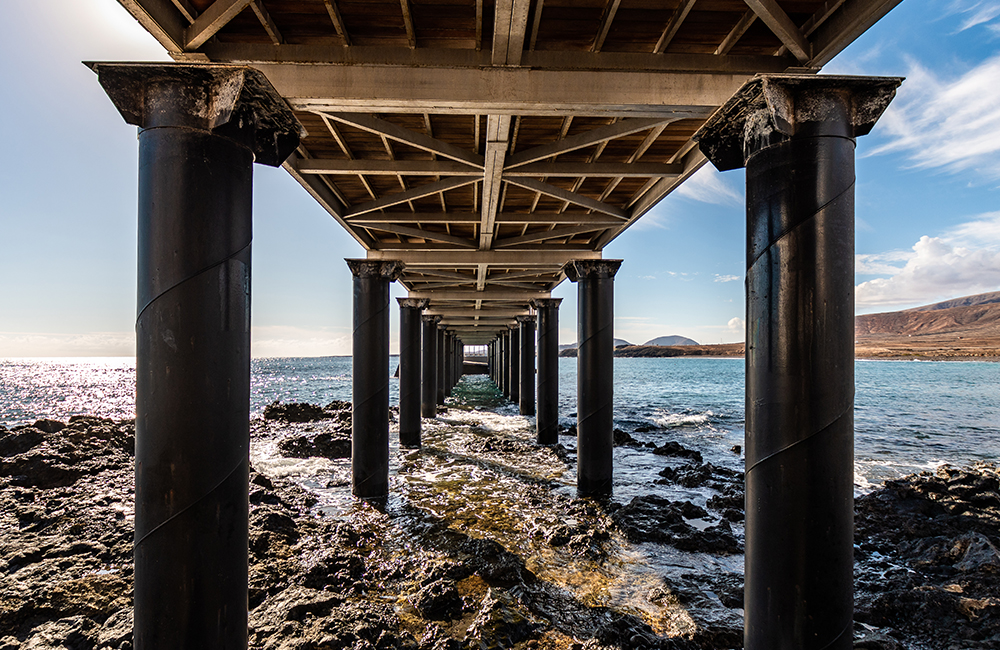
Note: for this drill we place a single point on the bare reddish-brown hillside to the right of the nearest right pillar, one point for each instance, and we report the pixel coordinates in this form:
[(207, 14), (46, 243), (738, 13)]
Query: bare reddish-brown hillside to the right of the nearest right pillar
[(970, 316)]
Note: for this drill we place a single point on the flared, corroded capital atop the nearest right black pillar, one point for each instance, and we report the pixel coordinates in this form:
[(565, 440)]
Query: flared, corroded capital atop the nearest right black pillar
[(769, 108)]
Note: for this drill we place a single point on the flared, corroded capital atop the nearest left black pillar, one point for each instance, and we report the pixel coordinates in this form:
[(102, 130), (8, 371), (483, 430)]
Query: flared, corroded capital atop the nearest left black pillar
[(235, 102)]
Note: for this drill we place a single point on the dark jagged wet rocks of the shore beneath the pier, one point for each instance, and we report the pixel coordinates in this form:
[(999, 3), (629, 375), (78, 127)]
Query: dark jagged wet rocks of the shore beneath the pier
[(422, 572)]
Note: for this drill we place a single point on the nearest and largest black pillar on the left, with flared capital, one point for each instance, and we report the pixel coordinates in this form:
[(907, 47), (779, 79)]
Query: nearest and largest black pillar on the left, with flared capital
[(201, 129)]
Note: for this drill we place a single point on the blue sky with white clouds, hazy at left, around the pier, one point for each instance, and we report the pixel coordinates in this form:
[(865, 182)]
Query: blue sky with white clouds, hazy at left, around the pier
[(927, 198)]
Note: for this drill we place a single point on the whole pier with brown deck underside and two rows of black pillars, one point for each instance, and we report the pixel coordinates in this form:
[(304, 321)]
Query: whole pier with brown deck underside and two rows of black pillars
[(482, 153)]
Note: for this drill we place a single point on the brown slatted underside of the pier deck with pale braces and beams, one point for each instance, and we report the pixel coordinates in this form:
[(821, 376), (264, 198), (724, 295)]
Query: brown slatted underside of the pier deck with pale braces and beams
[(483, 143)]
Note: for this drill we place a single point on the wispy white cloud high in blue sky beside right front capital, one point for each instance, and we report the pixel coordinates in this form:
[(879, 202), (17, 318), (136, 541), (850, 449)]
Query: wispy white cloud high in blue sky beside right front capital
[(948, 124)]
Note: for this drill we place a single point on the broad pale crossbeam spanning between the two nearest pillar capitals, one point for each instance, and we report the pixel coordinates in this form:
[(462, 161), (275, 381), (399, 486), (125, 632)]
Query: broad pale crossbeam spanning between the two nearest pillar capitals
[(339, 90)]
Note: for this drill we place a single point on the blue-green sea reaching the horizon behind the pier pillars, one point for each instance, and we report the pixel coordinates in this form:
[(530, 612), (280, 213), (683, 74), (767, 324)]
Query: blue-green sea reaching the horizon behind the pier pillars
[(909, 415)]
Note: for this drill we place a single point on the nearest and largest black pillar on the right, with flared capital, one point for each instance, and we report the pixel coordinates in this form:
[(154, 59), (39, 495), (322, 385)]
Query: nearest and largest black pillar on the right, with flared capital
[(796, 138)]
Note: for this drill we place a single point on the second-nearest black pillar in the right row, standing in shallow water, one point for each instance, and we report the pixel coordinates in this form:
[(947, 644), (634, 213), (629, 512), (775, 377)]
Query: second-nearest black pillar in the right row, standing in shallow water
[(595, 372)]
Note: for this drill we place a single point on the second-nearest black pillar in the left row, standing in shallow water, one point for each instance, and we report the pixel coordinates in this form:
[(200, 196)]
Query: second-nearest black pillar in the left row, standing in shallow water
[(370, 377)]
